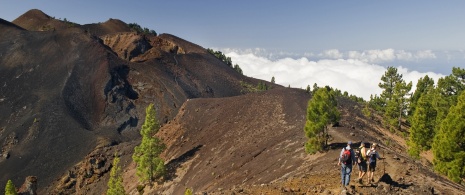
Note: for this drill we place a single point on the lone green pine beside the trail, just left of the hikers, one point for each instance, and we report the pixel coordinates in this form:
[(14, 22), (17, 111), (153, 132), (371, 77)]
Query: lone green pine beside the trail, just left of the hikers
[(321, 111)]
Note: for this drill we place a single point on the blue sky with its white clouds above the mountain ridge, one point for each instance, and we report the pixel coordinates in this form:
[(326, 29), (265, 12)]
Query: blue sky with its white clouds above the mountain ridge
[(424, 37)]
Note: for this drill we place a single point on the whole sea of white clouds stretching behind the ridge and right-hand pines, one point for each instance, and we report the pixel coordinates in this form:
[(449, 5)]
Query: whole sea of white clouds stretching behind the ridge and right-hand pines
[(357, 72)]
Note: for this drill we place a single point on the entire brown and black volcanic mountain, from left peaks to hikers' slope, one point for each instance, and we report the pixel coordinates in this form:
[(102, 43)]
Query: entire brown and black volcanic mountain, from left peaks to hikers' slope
[(72, 95)]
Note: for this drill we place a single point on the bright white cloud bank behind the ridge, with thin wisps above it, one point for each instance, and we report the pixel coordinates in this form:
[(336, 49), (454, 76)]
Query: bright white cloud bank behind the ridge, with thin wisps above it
[(356, 76)]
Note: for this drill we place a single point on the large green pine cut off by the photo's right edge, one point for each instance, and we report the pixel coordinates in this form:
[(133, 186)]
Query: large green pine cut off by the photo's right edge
[(449, 143)]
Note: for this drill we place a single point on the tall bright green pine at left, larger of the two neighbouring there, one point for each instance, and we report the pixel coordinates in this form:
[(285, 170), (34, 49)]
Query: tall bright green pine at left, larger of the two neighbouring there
[(147, 154)]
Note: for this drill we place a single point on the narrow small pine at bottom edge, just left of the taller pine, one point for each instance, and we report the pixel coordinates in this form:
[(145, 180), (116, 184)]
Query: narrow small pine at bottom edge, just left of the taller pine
[(115, 184)]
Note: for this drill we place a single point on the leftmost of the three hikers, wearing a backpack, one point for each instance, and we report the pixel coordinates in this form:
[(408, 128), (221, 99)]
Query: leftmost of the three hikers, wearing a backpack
[(346, 160)]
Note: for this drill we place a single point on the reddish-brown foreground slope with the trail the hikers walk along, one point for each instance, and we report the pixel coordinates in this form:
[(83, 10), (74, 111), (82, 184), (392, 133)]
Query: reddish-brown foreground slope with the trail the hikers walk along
[(253, 144)]
